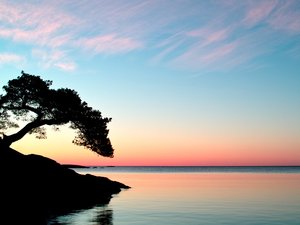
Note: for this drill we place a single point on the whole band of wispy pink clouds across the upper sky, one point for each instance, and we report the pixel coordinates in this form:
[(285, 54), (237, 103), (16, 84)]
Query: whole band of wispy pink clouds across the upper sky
[(190, 33)]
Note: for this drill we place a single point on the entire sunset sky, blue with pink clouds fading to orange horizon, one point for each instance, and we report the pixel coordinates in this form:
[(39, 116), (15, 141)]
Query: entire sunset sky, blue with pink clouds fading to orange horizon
[(186, 82)]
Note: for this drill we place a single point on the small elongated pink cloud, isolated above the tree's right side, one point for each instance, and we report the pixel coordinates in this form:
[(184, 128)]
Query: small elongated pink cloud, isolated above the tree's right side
[(110, 44)]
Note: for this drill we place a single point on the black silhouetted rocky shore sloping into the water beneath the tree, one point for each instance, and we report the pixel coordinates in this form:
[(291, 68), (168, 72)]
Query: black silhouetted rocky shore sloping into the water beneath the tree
[(35, 188)]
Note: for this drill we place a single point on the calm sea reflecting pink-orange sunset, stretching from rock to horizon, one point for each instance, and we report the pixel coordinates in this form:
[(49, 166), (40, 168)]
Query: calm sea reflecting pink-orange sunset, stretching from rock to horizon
[(195, 196)]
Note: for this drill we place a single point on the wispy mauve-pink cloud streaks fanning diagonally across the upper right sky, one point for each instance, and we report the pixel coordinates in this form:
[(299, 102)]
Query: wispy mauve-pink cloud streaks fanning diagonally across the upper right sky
[(232, 38)]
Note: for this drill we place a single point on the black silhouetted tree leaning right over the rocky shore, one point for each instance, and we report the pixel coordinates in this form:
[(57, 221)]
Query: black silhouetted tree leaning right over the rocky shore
[(29, 99)]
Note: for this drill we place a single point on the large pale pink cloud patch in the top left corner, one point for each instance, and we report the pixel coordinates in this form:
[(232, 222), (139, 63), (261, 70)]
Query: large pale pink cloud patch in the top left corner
[(37, 24)]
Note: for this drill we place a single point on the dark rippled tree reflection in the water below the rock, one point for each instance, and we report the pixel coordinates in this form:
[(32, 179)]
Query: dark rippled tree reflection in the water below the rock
[(98, 215)]
